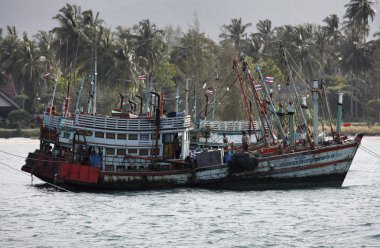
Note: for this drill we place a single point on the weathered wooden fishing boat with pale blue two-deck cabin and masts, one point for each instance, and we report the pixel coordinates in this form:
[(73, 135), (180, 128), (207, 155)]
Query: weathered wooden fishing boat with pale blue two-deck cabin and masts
[(138, 151)]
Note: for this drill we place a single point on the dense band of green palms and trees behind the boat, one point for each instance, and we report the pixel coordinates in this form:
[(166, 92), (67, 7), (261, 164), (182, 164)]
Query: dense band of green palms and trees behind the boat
[(338, 52)]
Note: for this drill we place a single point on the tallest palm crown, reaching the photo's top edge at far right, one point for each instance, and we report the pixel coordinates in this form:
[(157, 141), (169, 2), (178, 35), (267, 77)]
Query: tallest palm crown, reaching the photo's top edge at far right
[(358, 12)]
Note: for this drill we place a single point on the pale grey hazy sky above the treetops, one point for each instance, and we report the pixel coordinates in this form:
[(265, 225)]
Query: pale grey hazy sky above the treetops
[(34, 15)]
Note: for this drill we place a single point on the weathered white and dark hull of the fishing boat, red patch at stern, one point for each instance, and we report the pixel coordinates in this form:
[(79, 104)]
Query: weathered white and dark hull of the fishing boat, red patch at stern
[(324, 167)]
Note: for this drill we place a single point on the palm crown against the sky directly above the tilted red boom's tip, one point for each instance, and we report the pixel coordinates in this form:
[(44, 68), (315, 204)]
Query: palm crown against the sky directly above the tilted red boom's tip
[(235, 32)]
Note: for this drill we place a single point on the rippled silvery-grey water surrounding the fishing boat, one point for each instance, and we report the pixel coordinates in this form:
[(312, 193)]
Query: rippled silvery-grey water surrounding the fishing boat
[(39, 216)]
